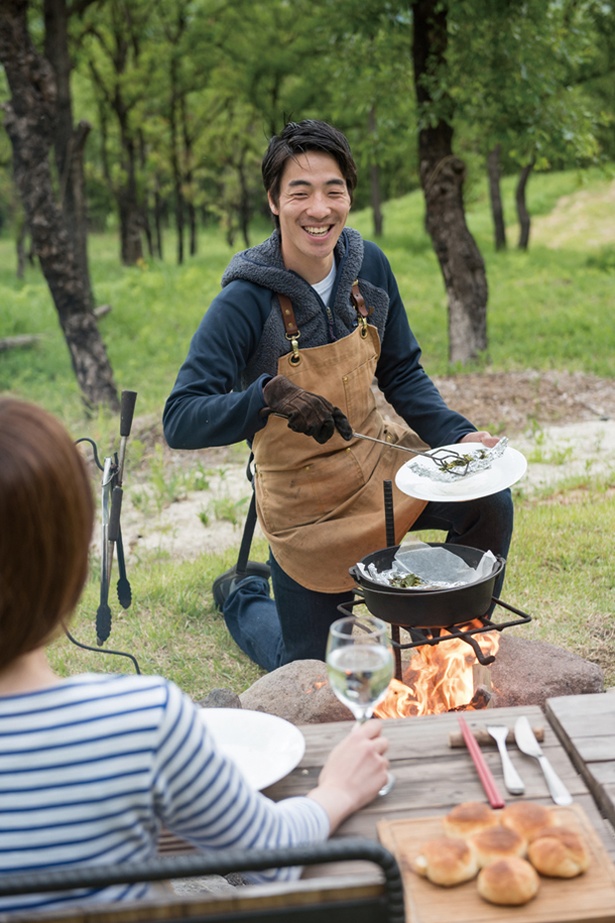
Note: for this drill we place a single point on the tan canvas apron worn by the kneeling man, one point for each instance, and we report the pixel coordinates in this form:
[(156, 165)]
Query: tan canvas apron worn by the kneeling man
[(321, 507)]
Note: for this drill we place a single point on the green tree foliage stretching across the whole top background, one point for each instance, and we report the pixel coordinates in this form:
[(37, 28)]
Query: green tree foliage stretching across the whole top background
[(193, 89)]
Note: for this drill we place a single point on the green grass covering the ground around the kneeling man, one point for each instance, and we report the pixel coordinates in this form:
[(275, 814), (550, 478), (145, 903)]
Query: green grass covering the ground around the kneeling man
[(548, 308)]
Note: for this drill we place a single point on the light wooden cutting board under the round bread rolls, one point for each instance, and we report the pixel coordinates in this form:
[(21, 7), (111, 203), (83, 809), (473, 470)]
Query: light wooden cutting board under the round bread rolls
[(589, 898)]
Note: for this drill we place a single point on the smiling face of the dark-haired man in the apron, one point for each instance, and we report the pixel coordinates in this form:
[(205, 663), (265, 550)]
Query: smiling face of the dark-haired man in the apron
[(312, 209)]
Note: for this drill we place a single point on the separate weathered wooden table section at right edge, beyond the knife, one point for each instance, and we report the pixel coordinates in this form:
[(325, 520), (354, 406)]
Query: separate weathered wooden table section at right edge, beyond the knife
[(585, 725)]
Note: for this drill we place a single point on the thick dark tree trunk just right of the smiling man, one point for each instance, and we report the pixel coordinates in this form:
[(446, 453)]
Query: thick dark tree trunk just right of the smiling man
[(442, 176)]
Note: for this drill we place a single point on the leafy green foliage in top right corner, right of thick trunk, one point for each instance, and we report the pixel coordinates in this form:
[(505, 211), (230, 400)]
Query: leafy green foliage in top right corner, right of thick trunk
[(529, 92)]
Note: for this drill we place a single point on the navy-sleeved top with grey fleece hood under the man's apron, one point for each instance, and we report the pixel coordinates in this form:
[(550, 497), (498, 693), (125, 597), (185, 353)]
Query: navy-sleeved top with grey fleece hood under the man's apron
[(218, 394)]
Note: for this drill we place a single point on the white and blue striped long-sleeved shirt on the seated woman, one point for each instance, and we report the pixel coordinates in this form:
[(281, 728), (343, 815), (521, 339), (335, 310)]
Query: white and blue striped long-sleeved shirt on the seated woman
[(90, 769)]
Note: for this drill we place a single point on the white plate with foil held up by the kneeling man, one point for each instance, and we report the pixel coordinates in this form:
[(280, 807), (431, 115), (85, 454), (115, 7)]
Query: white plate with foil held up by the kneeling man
[(504, 472)]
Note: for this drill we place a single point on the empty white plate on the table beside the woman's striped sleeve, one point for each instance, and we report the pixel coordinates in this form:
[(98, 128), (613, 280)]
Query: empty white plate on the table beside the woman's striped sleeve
[(264, 747)]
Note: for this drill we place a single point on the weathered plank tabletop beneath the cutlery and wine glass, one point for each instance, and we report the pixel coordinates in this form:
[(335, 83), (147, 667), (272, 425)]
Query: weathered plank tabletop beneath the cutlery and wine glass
[(432, 777)]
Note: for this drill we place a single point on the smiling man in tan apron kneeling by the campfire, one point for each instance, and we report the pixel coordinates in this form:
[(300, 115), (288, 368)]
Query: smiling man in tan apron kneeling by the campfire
[(285, 358)]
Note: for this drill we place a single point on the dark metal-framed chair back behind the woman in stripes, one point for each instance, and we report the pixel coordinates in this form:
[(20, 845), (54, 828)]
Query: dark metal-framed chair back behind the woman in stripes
[(345, 899)]
